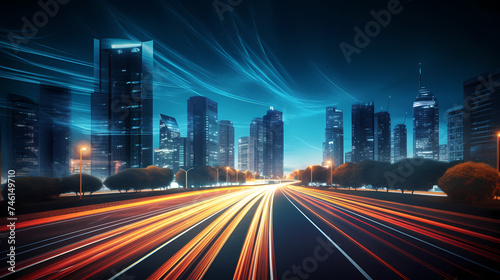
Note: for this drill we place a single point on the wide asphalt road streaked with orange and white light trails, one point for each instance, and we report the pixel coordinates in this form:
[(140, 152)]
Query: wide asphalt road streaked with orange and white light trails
[(264, 232)]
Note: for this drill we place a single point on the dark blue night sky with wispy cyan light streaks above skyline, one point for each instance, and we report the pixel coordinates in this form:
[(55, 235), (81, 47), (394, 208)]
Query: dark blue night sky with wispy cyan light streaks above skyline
[(284, 54)]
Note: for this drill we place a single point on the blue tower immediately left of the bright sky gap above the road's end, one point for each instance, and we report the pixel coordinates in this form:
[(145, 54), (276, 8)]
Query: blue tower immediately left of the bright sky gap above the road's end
[(273, 145)]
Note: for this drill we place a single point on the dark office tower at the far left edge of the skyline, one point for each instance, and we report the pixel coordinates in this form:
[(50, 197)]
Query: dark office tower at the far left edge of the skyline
[(23, 145)]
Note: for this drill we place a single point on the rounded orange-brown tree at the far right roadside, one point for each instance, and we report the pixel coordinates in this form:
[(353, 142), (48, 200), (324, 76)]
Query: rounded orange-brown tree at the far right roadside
[(470, 182)]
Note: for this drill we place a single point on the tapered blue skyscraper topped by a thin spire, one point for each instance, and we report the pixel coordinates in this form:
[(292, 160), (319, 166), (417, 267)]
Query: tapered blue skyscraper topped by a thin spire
[(425, 124)]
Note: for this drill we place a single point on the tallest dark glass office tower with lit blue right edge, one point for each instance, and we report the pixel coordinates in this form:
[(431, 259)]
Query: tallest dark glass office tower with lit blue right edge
[(122, 106)]
